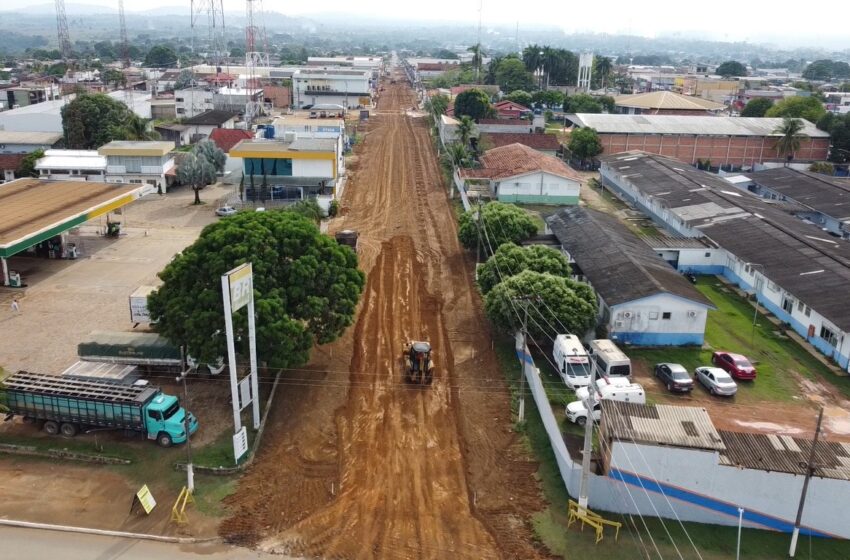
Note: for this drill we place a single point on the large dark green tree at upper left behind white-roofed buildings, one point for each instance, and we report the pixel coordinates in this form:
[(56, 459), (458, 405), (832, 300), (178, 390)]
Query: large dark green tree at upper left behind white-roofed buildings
[(92, 120)]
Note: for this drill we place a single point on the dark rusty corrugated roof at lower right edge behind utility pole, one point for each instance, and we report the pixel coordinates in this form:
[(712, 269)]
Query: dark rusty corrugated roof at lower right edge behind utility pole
[(787, 454)]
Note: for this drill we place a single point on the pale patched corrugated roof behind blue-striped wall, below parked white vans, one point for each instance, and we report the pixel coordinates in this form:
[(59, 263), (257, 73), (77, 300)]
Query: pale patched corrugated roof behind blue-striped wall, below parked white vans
[(680, 426)]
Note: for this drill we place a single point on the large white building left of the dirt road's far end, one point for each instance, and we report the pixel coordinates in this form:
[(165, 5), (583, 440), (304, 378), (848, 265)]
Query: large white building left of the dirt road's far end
[(347, 88)]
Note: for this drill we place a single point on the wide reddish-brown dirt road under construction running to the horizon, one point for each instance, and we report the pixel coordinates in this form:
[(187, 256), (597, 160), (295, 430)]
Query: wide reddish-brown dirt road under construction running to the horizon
[(358, 464)]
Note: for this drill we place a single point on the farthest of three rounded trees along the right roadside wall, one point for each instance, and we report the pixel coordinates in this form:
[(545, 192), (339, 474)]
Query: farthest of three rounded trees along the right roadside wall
[(502, 223)]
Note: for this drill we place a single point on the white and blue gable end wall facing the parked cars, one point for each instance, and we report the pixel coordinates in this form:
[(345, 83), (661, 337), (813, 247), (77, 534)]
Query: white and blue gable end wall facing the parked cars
[(642, 323)]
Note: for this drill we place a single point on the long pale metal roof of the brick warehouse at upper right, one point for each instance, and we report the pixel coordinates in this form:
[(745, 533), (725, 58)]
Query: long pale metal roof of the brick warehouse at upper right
[(697, 125)]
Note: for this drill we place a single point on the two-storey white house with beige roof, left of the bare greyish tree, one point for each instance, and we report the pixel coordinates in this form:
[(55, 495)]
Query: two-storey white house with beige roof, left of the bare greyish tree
[(143, 162)]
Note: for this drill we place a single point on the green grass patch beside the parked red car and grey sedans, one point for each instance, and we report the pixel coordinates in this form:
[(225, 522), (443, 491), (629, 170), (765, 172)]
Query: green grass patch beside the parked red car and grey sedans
[(730, 327)]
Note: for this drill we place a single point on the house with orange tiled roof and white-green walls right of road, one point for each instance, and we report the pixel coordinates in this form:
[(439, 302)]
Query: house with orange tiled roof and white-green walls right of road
[(517, 173)]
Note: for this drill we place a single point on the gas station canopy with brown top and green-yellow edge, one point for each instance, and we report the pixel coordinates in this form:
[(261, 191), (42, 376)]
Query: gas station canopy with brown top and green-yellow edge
[(36, 215)]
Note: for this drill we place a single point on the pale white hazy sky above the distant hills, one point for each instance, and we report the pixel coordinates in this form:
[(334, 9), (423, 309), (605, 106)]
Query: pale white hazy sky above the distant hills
[(750, 22)]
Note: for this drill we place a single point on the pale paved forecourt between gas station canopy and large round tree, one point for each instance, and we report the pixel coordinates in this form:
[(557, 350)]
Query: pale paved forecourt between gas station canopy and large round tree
[(66, 299)]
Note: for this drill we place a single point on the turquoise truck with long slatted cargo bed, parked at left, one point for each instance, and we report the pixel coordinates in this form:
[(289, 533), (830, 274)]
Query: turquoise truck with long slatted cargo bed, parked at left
[(67, 406)]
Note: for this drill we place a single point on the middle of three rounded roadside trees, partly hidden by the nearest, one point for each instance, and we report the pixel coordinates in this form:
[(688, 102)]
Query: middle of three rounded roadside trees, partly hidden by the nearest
[(510, 259)]
